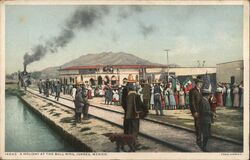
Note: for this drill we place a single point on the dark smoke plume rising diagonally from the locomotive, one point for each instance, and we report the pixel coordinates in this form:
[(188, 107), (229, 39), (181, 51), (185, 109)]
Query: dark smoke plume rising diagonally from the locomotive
[(83, 18)]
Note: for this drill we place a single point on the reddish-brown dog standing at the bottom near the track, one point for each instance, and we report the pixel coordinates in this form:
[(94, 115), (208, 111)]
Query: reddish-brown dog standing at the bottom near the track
[(122, 139)]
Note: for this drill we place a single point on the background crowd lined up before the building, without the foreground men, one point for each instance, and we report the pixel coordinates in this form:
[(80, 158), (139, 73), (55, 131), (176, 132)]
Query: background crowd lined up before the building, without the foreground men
[(156, 96)]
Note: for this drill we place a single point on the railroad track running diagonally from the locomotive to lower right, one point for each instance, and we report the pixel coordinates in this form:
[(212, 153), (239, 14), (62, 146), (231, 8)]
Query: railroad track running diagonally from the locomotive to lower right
[(178, 138)]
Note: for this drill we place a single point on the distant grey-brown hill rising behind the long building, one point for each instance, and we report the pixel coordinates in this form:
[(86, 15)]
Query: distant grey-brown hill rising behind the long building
[(104, 58)]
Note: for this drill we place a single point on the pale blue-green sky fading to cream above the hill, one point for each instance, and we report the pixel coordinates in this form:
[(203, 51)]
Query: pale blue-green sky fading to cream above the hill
[(192, 33)]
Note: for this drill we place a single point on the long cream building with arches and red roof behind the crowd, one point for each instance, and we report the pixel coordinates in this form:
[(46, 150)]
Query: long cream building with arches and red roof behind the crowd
[(115, 74)]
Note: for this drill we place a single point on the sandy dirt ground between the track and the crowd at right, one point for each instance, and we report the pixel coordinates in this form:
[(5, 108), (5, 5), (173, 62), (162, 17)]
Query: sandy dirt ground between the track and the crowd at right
[(228, 122)]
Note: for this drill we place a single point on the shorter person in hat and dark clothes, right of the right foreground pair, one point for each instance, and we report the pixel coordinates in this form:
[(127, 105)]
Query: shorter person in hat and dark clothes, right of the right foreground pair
[(205, 118)]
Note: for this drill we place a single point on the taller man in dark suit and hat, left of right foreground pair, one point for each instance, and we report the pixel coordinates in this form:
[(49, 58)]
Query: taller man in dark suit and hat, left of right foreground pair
[(195, 98)]
